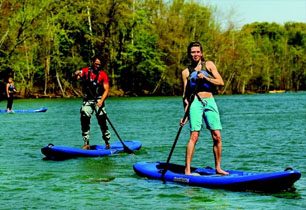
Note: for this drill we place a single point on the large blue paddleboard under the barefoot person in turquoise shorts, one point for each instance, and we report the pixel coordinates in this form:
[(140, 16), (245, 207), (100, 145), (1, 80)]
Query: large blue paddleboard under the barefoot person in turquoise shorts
[(236, 180)]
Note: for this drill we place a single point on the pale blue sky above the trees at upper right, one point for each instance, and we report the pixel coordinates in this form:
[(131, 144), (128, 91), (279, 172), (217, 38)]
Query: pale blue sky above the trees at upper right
[(242, 12)]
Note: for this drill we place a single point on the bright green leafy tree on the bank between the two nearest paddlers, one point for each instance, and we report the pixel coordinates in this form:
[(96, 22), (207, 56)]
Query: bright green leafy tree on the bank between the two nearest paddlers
[(143, 66)]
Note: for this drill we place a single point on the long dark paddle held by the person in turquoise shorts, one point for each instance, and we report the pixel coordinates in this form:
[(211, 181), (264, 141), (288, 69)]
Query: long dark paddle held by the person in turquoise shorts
[(179, 131)]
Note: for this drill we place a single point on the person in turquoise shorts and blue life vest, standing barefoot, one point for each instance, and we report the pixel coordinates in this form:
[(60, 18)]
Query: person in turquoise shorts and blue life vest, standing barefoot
[(201, 79)]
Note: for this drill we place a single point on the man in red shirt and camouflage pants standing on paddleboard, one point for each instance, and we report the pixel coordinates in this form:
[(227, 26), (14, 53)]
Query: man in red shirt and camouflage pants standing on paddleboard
[(95, 89)]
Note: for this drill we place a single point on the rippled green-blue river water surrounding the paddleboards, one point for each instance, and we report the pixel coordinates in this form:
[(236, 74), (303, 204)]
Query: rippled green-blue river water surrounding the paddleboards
[(261, 132)]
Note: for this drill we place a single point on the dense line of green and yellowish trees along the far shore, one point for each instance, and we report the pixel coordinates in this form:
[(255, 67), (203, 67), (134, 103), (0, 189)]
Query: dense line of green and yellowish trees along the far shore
[(143, 45)]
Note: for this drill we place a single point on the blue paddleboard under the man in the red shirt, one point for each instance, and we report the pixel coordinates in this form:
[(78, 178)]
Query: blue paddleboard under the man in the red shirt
[(53, 152)]
